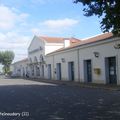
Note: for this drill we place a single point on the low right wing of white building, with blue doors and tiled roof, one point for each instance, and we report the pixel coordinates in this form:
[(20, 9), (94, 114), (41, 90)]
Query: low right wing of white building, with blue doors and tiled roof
[(94, 60)]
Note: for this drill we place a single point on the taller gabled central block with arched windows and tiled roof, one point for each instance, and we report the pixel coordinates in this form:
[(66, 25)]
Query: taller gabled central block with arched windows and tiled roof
[(39, 48)]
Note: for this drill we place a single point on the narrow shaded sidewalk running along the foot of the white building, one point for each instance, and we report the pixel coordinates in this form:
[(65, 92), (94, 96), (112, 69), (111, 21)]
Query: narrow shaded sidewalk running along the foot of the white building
[(78, 84)]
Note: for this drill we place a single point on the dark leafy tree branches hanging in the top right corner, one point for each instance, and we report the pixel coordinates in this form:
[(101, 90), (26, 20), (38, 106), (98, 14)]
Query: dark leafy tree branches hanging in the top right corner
[(108, 10)]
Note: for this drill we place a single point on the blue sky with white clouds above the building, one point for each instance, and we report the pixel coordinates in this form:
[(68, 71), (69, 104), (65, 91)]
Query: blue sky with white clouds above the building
[(20, 20)]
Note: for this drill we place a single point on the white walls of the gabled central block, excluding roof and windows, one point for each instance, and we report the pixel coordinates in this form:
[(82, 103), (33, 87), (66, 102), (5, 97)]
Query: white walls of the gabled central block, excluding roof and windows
[(36, 43)]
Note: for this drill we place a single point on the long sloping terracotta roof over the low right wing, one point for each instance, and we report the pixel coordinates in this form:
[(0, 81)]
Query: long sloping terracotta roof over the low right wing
[(87, 41)]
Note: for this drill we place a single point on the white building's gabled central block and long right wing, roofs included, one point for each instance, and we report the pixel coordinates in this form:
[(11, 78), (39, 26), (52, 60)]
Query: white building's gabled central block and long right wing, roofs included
[(95, 60)]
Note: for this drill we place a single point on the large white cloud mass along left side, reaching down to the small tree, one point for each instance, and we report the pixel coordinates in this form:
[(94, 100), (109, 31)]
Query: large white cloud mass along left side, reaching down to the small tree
[(12, 20)]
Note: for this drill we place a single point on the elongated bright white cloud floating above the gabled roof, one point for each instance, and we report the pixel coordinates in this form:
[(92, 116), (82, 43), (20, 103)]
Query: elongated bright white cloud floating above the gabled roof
[(60, 23)]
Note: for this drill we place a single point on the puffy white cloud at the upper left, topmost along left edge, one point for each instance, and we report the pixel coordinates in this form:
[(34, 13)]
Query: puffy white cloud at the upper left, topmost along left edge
[(8, 17)]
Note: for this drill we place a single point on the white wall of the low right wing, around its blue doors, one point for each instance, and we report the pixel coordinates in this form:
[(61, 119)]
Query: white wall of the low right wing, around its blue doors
[(105, 49)]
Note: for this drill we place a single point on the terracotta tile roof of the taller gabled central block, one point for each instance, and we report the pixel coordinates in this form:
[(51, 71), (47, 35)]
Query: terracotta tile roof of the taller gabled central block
[(58, 39)]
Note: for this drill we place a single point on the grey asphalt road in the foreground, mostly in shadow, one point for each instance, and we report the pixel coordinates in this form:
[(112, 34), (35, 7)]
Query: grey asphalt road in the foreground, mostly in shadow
[(27, 100)]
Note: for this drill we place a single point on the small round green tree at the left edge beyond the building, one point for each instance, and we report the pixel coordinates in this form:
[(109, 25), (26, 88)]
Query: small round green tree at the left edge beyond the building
[(6, 59)]
